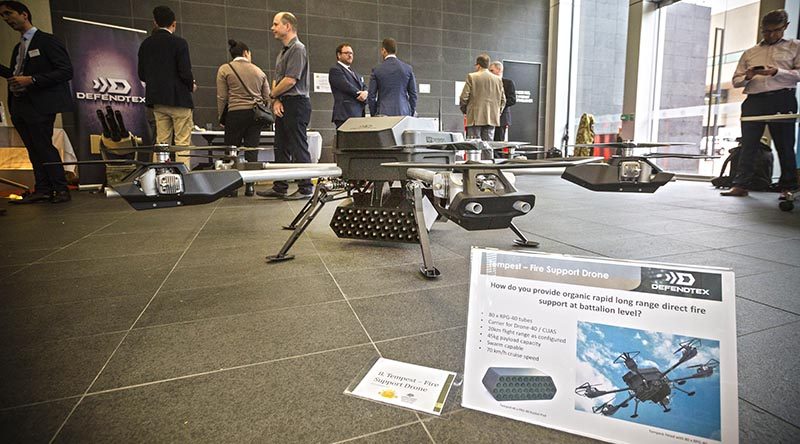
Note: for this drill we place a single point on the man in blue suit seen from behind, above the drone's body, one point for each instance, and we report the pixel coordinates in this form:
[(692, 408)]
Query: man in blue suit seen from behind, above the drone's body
[(392, 86)]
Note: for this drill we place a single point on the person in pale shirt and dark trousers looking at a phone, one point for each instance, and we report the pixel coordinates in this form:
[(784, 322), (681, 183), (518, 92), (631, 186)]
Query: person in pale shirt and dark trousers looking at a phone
[(769, 73)]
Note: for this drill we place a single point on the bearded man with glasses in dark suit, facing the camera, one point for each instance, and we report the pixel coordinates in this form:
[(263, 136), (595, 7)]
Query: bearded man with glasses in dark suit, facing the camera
[(349, 92)]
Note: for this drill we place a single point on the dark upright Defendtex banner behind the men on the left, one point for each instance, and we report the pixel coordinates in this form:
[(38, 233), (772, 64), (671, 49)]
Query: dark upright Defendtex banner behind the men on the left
[(105, 59)]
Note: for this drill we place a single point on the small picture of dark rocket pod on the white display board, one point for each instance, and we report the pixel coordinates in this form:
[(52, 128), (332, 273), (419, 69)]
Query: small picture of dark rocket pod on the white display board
[(518, 384)]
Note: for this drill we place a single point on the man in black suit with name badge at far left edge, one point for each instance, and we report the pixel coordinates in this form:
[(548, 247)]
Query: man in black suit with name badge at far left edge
[(38, 89)]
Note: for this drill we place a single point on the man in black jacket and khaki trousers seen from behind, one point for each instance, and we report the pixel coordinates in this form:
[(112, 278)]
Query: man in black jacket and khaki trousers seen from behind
[(166, 69)]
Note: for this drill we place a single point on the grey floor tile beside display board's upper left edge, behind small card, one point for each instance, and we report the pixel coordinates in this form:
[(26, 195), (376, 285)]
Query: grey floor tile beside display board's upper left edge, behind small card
[(413, 312)]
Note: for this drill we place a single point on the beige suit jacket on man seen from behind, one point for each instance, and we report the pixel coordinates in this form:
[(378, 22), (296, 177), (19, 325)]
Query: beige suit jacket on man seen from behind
[(484, 98)]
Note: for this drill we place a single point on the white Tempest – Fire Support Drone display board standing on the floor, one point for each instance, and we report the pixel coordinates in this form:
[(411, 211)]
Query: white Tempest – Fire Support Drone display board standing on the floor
[(620, 351)]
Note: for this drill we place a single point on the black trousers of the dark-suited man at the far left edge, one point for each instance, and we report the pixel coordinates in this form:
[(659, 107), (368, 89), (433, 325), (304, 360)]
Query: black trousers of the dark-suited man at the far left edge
[(36, 131)]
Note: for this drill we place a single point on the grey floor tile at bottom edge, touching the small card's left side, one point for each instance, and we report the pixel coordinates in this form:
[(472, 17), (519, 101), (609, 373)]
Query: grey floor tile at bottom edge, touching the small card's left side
[(296, 400)]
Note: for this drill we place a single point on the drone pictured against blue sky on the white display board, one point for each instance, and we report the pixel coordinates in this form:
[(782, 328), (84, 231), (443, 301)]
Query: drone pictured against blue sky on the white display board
[(649, 383)]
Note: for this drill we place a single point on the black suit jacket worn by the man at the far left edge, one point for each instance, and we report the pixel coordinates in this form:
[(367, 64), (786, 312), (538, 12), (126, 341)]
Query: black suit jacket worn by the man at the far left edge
[(52, 70)]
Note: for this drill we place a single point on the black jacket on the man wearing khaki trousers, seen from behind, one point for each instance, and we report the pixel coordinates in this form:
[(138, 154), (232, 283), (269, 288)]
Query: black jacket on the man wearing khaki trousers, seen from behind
[(165, 67)]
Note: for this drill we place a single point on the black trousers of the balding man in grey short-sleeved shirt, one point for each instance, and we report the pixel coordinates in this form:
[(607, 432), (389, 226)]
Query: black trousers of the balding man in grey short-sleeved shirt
[(291, 141)]
